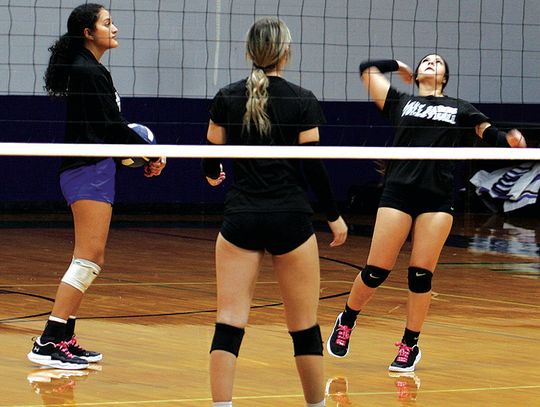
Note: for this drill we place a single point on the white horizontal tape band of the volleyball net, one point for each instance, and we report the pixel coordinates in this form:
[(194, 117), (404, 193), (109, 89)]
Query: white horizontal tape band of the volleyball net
[(334, 152)]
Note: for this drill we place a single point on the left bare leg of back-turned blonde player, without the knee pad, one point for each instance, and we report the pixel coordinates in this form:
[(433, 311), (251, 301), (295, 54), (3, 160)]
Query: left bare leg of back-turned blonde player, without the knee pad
[(236, 273)]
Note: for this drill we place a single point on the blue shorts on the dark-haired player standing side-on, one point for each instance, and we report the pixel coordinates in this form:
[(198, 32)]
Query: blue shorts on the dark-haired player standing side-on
[(94, 182)]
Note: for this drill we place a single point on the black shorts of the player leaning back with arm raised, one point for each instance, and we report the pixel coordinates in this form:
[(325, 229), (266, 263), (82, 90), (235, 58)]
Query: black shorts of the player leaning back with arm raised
[(414, 201)]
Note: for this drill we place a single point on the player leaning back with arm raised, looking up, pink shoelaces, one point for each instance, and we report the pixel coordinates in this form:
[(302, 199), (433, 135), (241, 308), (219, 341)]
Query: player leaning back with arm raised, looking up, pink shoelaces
[(417, 194)]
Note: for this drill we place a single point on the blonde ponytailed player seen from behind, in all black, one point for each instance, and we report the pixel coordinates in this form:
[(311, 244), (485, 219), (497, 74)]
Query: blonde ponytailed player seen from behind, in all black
[(266, 209)]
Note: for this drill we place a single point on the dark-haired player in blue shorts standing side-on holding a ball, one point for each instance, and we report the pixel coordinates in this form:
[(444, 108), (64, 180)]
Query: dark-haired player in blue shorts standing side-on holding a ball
[(88, 184)]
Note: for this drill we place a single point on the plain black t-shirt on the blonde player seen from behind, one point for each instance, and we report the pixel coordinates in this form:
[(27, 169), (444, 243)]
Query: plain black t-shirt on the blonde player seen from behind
[(267, 185)]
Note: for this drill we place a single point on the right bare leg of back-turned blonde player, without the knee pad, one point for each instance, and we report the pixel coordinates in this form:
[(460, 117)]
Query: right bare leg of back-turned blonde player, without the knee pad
[(298, 274)]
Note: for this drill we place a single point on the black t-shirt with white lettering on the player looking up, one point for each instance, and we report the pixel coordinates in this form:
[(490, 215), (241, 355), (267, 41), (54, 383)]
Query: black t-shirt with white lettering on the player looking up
[(427, 121)]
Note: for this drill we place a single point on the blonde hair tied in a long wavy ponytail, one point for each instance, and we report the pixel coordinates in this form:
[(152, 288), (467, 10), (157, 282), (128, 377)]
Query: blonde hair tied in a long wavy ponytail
[(267, 43)]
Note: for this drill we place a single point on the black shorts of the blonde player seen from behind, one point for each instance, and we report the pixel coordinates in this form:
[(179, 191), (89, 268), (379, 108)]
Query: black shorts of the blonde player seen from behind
[(276, 232)]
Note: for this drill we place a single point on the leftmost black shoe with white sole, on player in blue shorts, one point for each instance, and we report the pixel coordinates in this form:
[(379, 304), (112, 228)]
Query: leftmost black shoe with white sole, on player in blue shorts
[(55, 355)]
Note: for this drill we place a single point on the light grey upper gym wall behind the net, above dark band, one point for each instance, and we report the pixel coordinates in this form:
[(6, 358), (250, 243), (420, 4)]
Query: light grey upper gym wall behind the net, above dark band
[(190, 49)]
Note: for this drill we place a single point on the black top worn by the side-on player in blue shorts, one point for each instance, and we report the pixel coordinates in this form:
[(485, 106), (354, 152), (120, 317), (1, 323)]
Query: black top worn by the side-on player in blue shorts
[(93, 110)]
